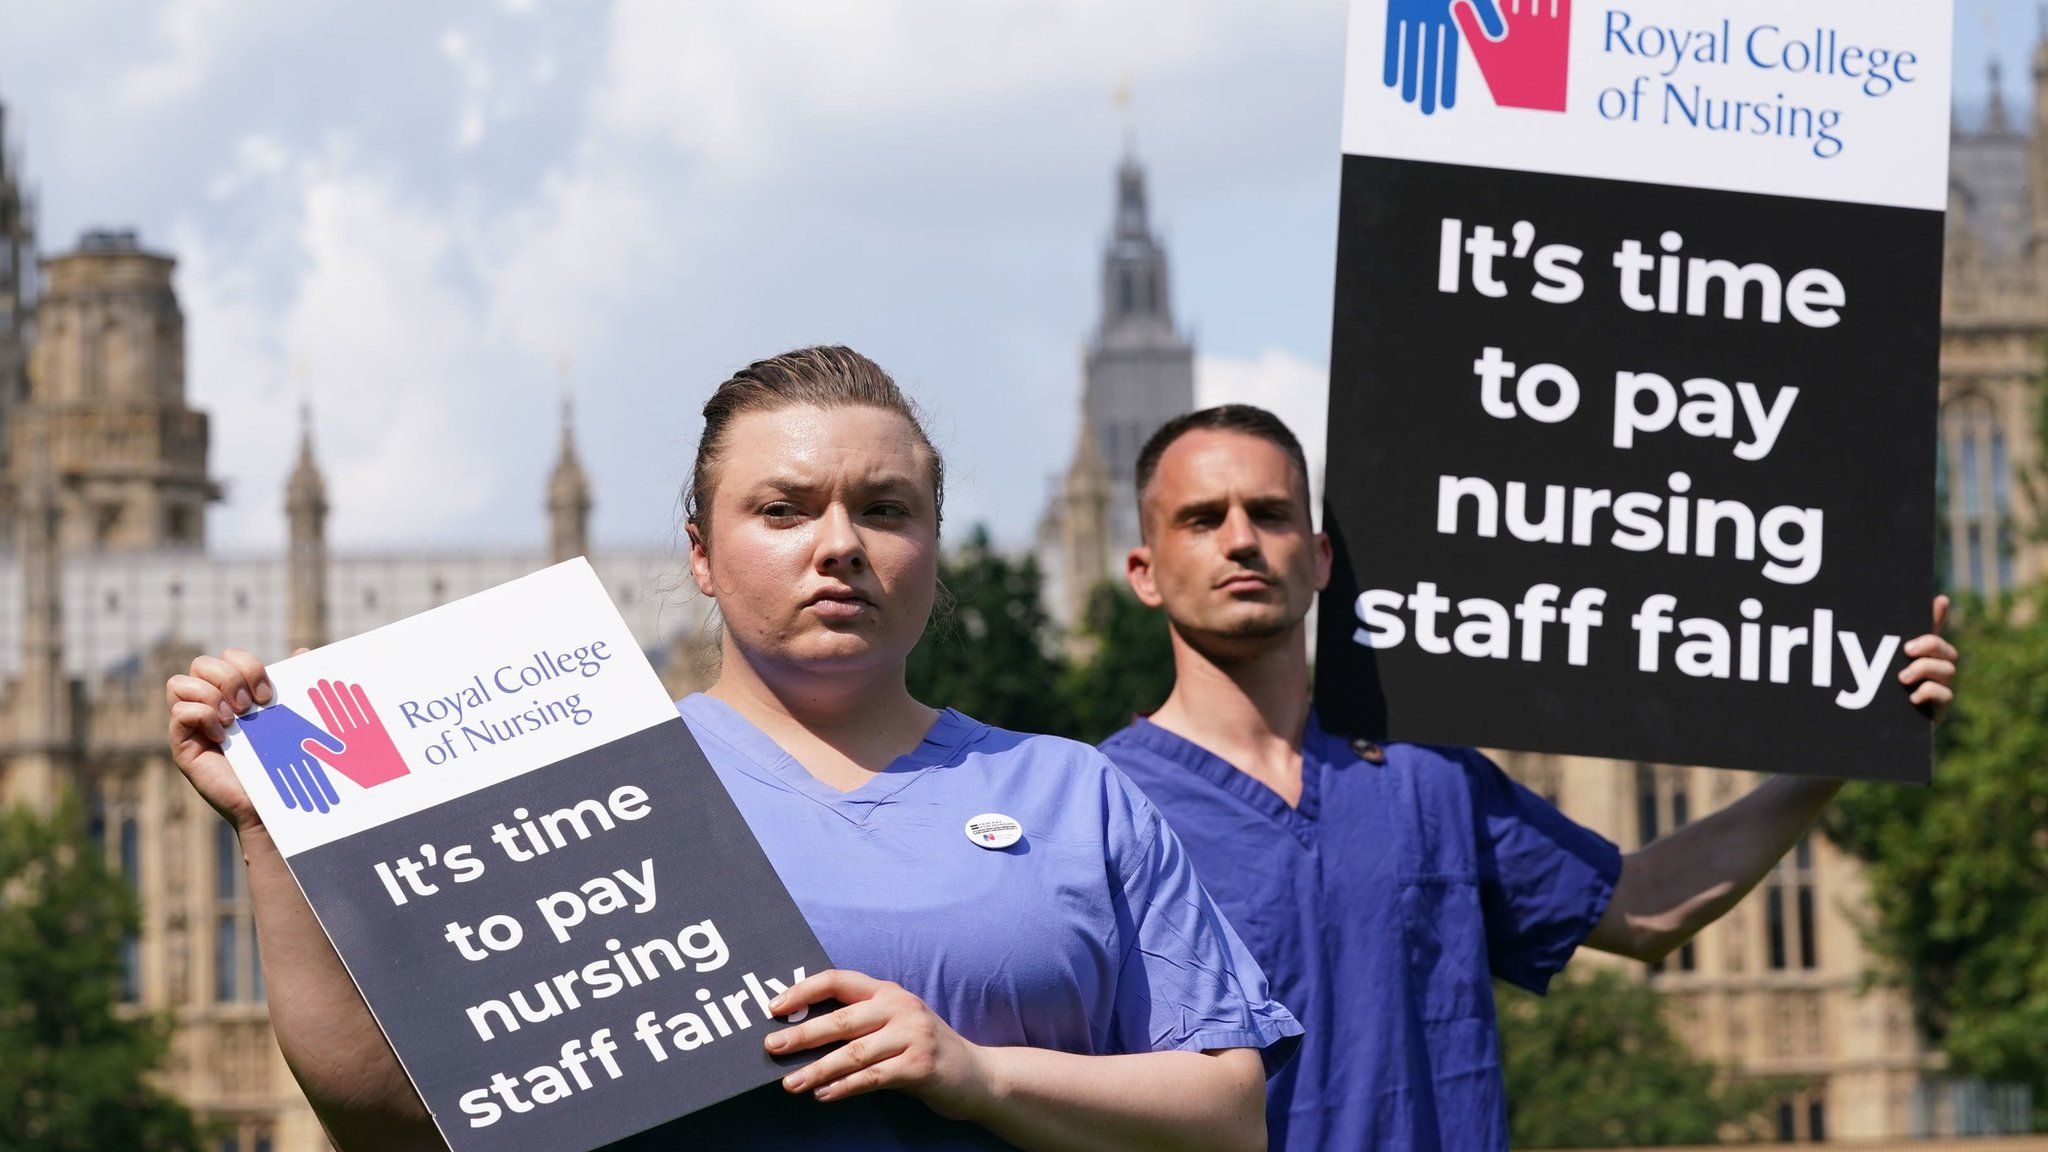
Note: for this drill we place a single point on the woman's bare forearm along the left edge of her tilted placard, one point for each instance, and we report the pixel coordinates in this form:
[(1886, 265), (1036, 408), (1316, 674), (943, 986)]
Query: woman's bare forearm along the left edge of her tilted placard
[(333, 1044)]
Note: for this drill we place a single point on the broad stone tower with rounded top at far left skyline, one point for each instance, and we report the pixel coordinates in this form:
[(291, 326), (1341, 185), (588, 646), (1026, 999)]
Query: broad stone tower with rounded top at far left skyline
[(108, 401)]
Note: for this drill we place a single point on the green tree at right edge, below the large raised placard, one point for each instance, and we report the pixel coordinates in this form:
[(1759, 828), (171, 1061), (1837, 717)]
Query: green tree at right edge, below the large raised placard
[(1959, 870)]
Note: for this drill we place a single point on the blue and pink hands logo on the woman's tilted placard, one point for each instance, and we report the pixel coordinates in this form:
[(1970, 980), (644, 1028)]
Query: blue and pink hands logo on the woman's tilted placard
[(296, 753)]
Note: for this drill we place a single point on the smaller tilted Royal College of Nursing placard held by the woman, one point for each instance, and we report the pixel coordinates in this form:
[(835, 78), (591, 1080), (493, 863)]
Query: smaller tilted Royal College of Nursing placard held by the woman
[(548, 899)]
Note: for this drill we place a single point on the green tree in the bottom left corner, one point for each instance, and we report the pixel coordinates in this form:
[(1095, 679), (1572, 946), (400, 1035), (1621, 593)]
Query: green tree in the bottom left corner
[(75, 1069)]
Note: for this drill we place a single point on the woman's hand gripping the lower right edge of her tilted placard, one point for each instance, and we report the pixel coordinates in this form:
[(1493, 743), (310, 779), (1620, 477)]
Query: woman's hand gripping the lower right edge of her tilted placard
[(894, 1040)]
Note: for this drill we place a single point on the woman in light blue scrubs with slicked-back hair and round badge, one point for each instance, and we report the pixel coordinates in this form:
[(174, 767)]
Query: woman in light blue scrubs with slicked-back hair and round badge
[(1080, 993)]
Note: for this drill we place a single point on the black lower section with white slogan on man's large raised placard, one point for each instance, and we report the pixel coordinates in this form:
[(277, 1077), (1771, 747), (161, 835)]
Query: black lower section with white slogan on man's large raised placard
[(1701, 550)]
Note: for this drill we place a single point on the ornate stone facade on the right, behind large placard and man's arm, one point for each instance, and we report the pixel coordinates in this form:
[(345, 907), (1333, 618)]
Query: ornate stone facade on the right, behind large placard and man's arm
[(1779, 985)]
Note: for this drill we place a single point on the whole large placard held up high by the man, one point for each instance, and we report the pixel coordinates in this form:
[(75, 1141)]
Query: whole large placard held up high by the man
[(1633, 378)]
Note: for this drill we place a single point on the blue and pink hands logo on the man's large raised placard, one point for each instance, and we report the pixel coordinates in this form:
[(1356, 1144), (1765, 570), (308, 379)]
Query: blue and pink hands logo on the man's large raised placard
[(1523, 50)]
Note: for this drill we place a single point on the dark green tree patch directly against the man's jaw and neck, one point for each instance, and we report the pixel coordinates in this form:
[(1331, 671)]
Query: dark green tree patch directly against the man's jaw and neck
[(1129, 665)]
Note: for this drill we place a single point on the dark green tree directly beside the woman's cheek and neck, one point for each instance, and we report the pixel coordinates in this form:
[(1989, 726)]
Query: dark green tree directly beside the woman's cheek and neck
[(992, 657)]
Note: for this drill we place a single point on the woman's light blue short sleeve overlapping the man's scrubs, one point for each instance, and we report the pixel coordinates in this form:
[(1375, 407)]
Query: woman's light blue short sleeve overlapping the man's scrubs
[(1187, 983)]
